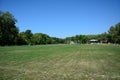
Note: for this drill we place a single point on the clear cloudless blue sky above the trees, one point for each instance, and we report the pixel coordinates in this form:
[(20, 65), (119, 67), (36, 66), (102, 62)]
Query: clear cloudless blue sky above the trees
[(64, 18)]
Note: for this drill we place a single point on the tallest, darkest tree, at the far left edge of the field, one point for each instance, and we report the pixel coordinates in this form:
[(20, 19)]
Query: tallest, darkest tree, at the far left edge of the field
[(8, 30)]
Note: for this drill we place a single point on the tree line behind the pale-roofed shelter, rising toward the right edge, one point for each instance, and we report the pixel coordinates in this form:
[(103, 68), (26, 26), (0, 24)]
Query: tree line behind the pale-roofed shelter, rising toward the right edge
[(112, 36)]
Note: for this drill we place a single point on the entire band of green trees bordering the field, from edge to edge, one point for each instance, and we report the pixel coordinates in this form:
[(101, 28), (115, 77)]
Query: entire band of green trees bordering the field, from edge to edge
[(10, 34)]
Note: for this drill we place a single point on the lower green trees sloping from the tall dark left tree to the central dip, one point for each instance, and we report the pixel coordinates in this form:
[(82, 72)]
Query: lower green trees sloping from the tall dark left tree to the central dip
[(28, 38)]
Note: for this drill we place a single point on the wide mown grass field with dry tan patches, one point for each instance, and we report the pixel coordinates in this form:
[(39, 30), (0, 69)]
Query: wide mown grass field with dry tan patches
[(60, 62)]
